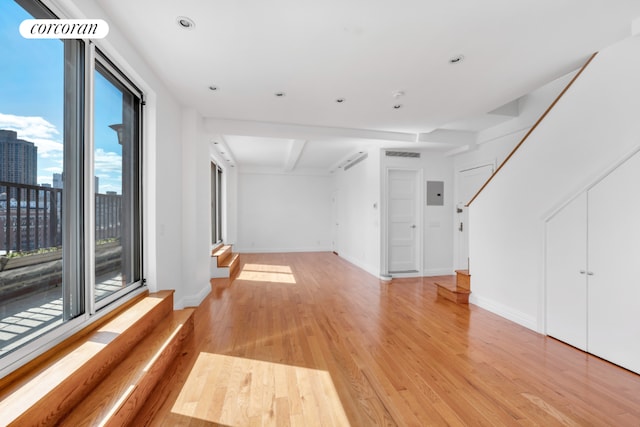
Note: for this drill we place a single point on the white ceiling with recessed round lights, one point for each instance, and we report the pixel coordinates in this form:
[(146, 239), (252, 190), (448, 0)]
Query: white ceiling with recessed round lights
[(363, 51)]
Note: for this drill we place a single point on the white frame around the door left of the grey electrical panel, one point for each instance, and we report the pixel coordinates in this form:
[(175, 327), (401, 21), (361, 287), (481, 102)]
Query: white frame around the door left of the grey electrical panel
[(420, 201)]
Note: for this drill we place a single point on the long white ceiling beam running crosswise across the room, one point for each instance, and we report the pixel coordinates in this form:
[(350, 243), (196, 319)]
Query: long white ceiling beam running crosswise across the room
[(294, 131)]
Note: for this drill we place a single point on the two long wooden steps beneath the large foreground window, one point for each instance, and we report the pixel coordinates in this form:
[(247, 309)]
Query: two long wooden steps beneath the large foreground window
[(105, 376)]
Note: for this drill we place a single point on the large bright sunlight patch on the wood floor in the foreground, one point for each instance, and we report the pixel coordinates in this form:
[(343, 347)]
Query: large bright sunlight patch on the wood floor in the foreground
[(234, 391)]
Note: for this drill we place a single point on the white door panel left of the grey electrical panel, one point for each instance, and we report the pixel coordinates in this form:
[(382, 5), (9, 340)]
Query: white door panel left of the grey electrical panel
[(403, 255)]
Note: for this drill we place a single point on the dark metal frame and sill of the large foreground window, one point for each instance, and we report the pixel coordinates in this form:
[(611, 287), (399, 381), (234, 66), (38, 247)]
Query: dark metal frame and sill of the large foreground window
[(79, 250)]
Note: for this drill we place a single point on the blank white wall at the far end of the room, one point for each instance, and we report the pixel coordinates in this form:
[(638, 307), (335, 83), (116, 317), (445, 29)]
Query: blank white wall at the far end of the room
[(283, 212)]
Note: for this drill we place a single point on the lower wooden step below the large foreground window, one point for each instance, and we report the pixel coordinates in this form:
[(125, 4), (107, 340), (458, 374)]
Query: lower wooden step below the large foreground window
[(117, 399)]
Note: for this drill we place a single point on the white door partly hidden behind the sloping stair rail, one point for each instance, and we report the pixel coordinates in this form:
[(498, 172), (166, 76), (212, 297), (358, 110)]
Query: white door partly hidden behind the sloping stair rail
[(469, 182)]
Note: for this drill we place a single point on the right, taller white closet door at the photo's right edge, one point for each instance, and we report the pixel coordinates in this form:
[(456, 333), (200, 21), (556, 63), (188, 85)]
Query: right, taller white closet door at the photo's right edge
[(613, 261)]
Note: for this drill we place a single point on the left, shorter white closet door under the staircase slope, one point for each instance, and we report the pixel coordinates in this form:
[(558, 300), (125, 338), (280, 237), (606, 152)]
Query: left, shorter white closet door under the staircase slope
[(566, 271)]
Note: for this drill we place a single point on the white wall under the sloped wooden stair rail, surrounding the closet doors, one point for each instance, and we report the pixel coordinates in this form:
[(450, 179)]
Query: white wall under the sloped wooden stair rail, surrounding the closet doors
[(591, 128)]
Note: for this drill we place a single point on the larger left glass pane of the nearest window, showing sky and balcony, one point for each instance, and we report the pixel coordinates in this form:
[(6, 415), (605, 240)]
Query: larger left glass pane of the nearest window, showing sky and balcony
[(31, 182)]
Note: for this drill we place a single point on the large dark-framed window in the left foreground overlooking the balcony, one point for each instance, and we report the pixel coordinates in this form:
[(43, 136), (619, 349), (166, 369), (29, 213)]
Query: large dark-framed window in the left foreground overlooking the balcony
[(70, 228)]
